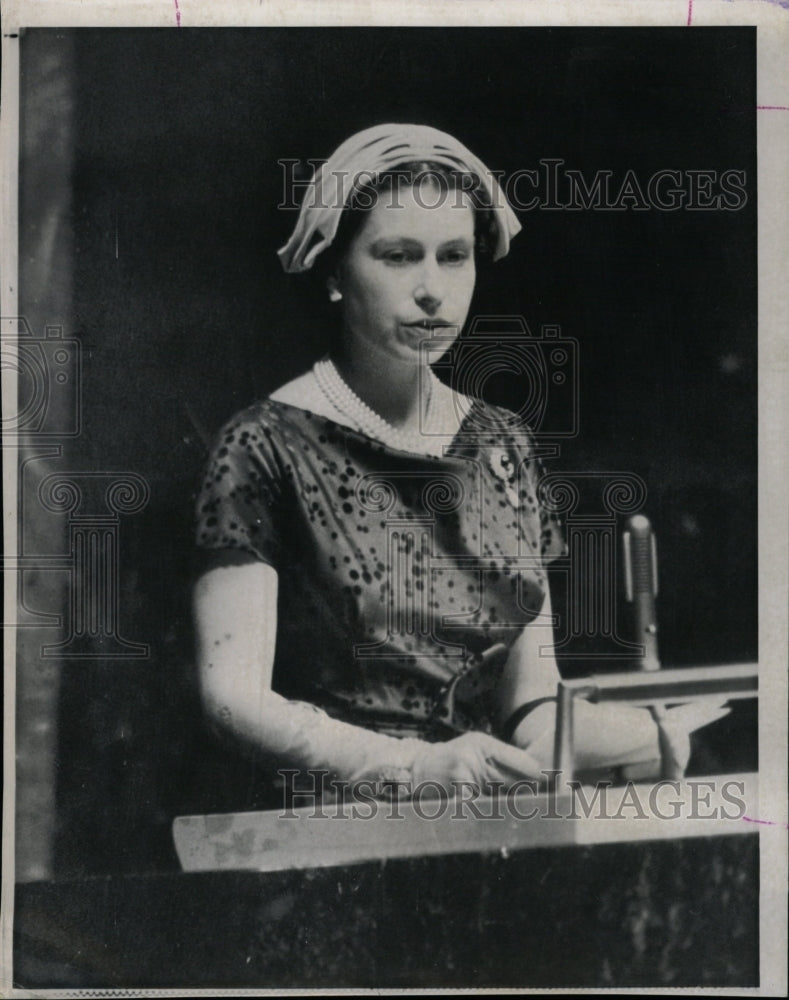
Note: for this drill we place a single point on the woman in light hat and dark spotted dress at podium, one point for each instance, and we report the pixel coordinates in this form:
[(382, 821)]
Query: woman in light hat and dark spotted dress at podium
[(374, 599)]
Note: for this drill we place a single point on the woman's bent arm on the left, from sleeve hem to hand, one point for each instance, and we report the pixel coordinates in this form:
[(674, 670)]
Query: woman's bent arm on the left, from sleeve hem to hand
[(235, 615)]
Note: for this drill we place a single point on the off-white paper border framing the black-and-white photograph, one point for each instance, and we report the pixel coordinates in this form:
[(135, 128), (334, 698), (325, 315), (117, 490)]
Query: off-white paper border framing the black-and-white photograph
[(772, 22)]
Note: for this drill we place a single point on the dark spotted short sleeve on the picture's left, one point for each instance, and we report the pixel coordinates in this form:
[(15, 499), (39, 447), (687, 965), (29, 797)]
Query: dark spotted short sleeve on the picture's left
[(240, 495)]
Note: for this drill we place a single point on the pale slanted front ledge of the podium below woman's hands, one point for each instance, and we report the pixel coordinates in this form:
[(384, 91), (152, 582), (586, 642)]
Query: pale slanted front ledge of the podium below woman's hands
[(323, 835)]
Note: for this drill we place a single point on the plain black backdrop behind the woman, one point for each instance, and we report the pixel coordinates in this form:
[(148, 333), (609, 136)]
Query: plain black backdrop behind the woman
[(176, 137)]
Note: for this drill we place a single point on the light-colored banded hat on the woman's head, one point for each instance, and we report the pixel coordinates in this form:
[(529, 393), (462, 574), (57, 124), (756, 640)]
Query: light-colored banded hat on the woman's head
[(359, 160)]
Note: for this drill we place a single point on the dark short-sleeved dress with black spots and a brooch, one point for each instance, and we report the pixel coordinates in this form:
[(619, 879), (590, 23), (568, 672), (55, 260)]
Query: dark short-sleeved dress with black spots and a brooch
[(397, 571)]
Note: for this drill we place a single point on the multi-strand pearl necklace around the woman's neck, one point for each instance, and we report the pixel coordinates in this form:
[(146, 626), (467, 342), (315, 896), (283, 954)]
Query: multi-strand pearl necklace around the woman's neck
[(344, 399)]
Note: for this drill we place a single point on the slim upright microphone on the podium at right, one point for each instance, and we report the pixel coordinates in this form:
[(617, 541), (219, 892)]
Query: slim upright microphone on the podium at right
[(641, 586)]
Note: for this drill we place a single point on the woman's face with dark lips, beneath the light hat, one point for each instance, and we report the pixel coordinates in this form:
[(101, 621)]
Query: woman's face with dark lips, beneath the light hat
[(409, 273)]
